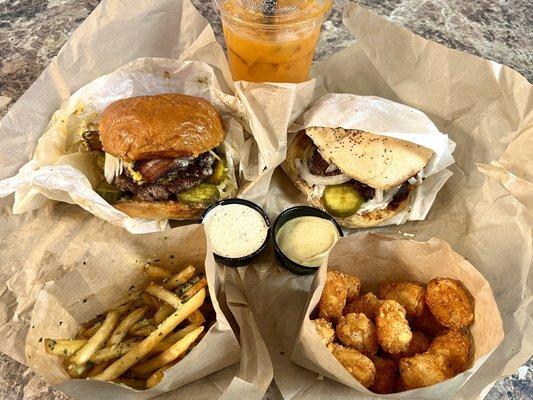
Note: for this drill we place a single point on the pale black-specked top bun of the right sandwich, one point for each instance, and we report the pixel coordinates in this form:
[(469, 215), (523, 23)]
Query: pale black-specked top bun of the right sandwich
[(379, 161)]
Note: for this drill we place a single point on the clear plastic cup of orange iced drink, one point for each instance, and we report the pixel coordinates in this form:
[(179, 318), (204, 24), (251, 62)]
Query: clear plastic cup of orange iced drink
[(269, 40)]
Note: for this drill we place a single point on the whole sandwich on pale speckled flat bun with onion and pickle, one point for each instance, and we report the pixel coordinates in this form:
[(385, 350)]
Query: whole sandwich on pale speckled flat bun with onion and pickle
[(360, 178)]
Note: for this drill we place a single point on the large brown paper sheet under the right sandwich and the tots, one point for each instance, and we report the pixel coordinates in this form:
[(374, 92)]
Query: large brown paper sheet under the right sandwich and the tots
[(483, 211)]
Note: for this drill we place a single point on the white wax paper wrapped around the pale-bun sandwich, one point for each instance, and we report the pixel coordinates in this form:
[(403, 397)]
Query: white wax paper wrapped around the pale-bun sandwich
[(387, 118)]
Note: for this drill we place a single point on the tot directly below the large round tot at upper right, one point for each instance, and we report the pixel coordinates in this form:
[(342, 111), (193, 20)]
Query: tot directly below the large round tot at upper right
[(455, 346)]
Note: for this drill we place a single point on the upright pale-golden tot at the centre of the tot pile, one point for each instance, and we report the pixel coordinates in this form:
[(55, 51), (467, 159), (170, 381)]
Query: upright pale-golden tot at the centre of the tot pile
[(393, 330)]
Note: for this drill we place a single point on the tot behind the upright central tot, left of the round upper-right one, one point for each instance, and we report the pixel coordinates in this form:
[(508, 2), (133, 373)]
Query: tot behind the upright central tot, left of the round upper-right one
[(409, 294)]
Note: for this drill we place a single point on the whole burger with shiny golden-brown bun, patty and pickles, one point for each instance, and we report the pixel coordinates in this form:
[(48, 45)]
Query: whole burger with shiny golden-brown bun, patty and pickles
[(163, 156)]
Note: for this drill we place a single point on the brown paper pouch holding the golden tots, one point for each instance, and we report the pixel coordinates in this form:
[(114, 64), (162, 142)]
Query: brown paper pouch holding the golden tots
[(379, 259)]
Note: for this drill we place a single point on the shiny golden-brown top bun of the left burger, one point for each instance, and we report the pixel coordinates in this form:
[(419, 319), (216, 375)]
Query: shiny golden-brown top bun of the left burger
[(161, 126)]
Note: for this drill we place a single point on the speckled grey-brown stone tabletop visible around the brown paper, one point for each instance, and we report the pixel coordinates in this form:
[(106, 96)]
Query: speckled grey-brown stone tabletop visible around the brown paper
[(33, 31)]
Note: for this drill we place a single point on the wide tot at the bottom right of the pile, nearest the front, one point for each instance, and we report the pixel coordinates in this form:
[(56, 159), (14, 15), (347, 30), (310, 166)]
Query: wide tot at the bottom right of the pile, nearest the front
[(424, 370)]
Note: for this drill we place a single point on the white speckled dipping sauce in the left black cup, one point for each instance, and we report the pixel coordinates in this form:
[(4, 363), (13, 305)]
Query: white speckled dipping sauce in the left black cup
[(235, 230)]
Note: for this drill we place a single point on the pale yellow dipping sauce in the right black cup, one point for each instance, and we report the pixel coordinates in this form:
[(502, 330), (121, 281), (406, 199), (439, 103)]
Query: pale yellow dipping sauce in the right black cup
[(307, 240)]
